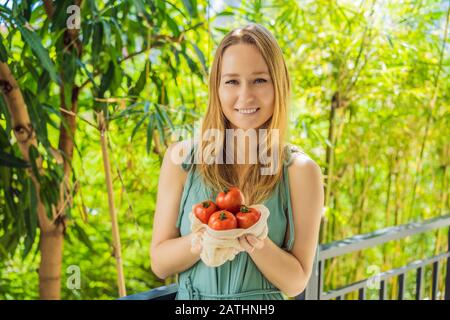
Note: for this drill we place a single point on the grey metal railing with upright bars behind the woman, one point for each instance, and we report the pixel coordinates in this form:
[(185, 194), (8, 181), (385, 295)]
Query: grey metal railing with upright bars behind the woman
[(314, 289)]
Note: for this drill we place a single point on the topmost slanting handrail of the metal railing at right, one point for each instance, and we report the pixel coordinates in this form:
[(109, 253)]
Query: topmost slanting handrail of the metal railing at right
[(359, 242)]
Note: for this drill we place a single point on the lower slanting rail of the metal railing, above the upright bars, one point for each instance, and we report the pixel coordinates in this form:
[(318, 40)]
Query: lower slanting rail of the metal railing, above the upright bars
[(383, 276)]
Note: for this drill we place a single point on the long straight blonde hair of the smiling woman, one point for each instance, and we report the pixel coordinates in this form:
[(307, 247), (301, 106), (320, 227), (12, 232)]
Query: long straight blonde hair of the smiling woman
[(256, 187)]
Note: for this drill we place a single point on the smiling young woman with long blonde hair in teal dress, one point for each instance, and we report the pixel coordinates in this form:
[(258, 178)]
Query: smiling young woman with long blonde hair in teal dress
[(249, 89)]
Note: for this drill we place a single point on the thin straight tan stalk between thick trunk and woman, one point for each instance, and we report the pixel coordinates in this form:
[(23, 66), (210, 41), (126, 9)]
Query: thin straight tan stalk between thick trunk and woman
[(112, 211)]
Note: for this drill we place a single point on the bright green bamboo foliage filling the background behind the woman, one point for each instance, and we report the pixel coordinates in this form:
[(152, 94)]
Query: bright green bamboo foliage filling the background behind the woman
[(145, 65)]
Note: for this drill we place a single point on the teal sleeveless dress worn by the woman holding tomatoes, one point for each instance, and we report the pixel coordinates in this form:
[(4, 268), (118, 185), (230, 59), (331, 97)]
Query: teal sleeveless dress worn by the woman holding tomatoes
[(239, 279)]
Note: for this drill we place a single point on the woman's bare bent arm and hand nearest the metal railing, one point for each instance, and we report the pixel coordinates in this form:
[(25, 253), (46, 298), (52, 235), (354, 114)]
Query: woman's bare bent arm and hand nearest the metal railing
[(290, 271)]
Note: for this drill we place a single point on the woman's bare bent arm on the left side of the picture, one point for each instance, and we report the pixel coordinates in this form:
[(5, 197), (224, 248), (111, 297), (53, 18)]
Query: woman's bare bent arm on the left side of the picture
[(169, 252)]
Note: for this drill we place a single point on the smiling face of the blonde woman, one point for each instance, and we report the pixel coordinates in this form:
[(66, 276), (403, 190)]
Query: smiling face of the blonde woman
[(246, 91)]
